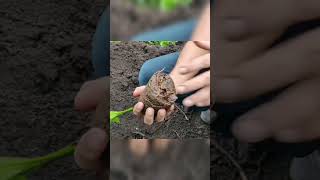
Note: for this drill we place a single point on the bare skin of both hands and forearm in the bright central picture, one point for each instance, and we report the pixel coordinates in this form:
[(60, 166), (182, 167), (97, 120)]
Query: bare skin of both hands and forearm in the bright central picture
[(194, 57)]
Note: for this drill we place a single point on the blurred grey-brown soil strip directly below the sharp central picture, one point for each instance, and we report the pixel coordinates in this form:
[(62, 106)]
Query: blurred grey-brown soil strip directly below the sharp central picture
[(183, 160)]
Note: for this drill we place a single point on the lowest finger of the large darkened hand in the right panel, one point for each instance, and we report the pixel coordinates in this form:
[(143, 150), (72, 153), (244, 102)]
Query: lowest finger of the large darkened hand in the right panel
[(293, 108)]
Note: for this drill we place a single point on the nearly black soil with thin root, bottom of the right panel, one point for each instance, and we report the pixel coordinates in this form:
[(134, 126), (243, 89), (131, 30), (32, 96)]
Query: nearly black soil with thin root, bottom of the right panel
[(257, 165)]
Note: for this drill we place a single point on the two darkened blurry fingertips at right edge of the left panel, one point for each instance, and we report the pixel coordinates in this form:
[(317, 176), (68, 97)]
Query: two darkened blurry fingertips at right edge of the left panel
[(93, 143)]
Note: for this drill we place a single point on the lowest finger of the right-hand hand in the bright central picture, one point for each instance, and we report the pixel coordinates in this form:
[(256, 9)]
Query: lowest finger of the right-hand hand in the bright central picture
[(201, 98)]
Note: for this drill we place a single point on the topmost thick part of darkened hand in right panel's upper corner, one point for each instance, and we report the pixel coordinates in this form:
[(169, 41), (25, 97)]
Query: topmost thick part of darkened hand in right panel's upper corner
[(247, 28)]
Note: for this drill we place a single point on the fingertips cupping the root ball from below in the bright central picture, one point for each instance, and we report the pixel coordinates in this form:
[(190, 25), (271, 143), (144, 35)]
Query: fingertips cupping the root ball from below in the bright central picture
[(149, 116)]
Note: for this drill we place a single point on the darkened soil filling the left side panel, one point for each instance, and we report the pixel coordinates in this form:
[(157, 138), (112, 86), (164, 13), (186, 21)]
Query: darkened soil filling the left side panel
[(44, 58)]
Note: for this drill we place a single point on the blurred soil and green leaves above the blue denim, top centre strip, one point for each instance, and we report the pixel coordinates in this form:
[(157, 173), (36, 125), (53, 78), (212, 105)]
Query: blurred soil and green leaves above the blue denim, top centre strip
[(131, 17)]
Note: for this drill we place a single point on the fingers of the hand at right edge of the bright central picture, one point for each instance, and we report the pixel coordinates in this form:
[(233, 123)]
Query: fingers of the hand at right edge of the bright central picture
[(200, 83)]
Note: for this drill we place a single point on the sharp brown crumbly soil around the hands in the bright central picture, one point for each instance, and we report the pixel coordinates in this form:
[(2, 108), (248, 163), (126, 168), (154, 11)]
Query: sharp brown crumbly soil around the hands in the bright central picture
[(126, 60)]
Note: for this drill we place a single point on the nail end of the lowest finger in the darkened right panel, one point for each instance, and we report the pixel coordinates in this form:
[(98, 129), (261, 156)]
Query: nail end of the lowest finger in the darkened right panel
[(250, 130)]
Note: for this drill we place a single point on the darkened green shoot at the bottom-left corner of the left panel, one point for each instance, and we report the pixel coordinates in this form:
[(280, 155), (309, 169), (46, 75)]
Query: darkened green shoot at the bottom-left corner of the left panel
[(17, 168)]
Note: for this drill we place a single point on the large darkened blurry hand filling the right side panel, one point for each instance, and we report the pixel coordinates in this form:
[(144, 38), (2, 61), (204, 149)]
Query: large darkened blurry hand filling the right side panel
[(247, 64)]
